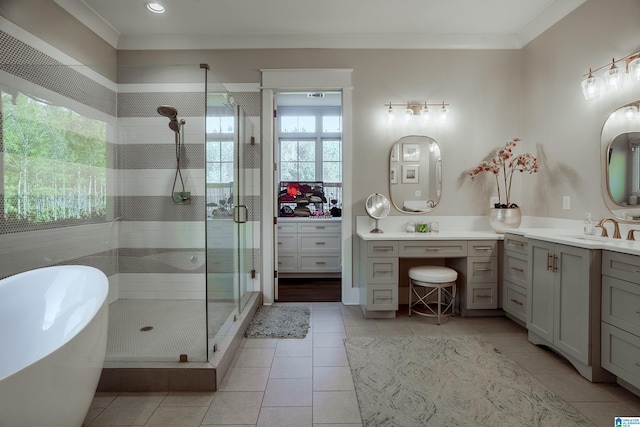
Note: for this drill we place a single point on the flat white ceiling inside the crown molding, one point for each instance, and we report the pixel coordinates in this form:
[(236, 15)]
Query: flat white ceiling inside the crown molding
[(363, 24)]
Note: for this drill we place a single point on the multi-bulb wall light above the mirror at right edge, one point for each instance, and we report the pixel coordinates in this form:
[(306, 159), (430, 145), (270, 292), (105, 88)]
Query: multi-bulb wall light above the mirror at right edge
[(613, 77)]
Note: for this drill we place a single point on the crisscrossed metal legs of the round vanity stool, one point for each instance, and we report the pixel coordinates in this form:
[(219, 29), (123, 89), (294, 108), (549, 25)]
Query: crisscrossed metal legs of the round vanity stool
[(446, 297)]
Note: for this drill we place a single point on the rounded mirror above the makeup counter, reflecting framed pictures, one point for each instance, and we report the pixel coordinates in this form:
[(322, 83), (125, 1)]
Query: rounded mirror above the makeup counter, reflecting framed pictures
[(415, 174)]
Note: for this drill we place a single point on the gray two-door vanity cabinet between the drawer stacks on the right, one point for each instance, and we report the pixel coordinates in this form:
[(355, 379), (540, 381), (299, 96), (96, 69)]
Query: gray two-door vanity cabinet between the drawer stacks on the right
[(564, 303)]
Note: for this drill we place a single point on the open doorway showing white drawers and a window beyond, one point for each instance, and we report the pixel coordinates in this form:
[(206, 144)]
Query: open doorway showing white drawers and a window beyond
[(308, 195)]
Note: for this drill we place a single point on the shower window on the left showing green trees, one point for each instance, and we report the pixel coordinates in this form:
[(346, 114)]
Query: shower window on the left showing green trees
[(54, 164)]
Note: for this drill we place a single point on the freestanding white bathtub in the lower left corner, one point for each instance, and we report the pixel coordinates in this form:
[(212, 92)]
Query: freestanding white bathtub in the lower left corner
[(53, 337)]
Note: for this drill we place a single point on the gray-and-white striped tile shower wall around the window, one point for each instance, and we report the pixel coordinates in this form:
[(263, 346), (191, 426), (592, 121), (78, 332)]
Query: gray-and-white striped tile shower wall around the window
[(149, 247)]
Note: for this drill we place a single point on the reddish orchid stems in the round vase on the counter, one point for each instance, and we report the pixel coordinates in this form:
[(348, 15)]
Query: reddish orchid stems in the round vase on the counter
[(503, 165)]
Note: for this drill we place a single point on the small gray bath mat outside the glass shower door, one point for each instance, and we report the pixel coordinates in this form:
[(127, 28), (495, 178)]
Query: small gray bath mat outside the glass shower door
[(279, 321)]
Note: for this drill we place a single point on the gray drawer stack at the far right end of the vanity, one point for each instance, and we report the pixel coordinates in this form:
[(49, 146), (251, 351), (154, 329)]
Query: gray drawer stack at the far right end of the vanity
[(620, 316)]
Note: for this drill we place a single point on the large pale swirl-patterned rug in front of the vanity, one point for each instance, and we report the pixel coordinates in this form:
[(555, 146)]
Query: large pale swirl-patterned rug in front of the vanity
[(449, 381)]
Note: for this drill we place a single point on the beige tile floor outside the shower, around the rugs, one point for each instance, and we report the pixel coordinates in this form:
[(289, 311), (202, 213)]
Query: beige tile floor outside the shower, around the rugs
[(307, 382)]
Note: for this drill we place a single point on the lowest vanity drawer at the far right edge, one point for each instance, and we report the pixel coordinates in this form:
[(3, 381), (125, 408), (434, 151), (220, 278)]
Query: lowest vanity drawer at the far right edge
[(621, 354)]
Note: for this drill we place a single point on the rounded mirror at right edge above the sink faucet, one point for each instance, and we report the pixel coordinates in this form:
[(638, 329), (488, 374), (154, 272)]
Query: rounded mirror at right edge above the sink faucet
[(620, 145)]
